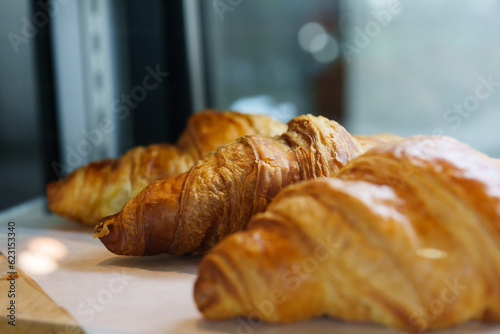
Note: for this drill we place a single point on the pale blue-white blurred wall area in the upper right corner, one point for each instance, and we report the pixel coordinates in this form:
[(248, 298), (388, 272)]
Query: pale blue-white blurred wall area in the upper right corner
[(429, 58)]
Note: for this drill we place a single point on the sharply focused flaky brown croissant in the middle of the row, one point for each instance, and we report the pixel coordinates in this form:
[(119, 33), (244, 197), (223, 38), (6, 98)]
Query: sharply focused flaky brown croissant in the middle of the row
[(191, 212)]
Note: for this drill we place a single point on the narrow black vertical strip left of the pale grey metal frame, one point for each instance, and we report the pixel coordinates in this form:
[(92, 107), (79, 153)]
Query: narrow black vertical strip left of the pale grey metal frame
[(44, 67)]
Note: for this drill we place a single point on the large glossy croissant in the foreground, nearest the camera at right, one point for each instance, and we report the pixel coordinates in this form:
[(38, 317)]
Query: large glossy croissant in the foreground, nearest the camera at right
[(407, 235)]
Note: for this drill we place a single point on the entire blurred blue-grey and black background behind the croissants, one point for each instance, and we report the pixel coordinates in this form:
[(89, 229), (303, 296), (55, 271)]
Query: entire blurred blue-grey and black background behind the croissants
[(88, 79)]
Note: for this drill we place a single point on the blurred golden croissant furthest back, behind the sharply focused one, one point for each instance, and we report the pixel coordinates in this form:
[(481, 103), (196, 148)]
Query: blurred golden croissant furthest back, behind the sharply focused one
[(102, 188)]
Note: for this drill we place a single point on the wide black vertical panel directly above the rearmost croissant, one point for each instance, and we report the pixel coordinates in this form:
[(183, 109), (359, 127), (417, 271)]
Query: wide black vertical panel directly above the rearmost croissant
[(156, 40)]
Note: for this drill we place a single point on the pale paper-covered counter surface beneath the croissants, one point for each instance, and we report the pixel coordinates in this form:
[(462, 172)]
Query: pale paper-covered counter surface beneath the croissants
[(106, 293)]
